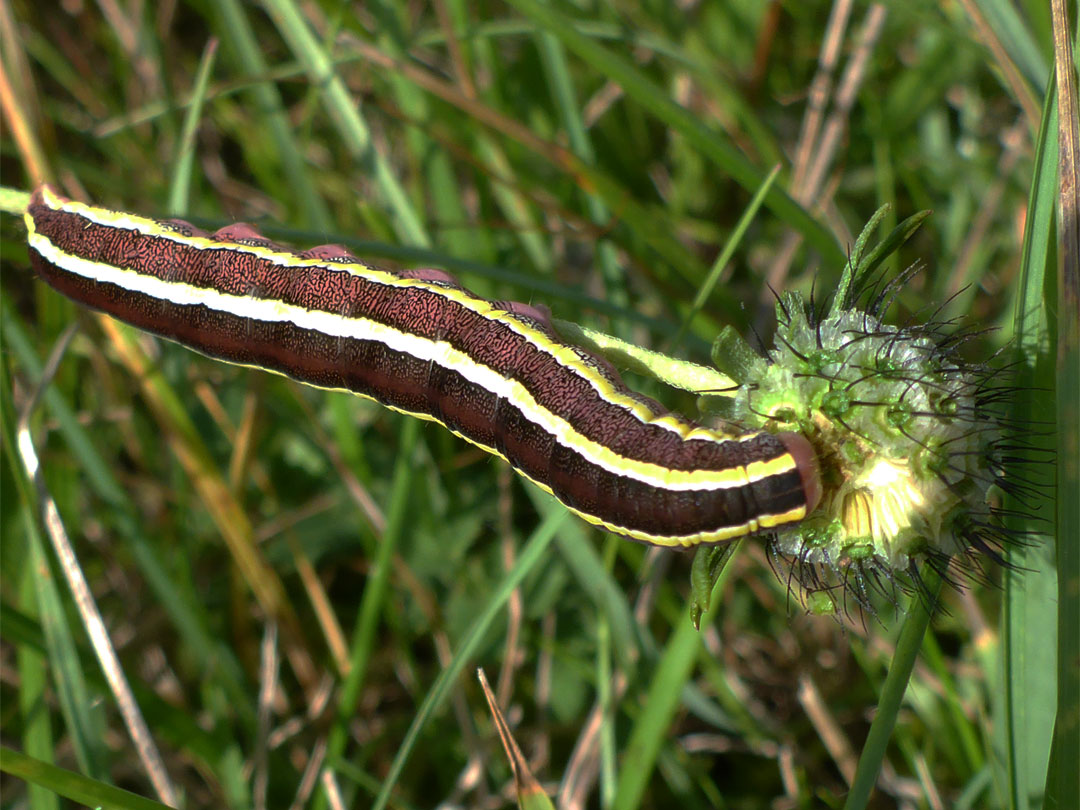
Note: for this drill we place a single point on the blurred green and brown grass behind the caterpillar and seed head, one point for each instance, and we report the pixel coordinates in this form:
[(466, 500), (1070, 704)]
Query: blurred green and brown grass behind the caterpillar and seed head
[(299, 583)]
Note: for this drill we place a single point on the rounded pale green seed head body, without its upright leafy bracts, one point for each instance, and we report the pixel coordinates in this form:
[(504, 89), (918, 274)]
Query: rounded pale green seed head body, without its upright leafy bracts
[(896, 420)]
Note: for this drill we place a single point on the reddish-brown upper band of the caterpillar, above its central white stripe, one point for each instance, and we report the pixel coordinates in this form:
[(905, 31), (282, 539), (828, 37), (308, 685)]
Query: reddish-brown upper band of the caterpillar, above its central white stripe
[(409, 309)]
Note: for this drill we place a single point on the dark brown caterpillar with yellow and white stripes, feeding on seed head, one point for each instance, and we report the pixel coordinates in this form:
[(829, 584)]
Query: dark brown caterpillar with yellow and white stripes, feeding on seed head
[(494, 373)]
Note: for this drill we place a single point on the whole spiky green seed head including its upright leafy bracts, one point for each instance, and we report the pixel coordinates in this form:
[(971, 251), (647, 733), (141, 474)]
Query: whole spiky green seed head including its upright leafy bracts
[(910, 437)]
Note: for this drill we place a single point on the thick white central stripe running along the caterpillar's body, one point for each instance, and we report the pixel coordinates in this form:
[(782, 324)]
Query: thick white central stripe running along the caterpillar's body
[(440, 353)]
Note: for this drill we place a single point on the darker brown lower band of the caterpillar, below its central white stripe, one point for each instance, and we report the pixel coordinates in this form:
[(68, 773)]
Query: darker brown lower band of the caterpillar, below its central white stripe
[(403, 382)]
